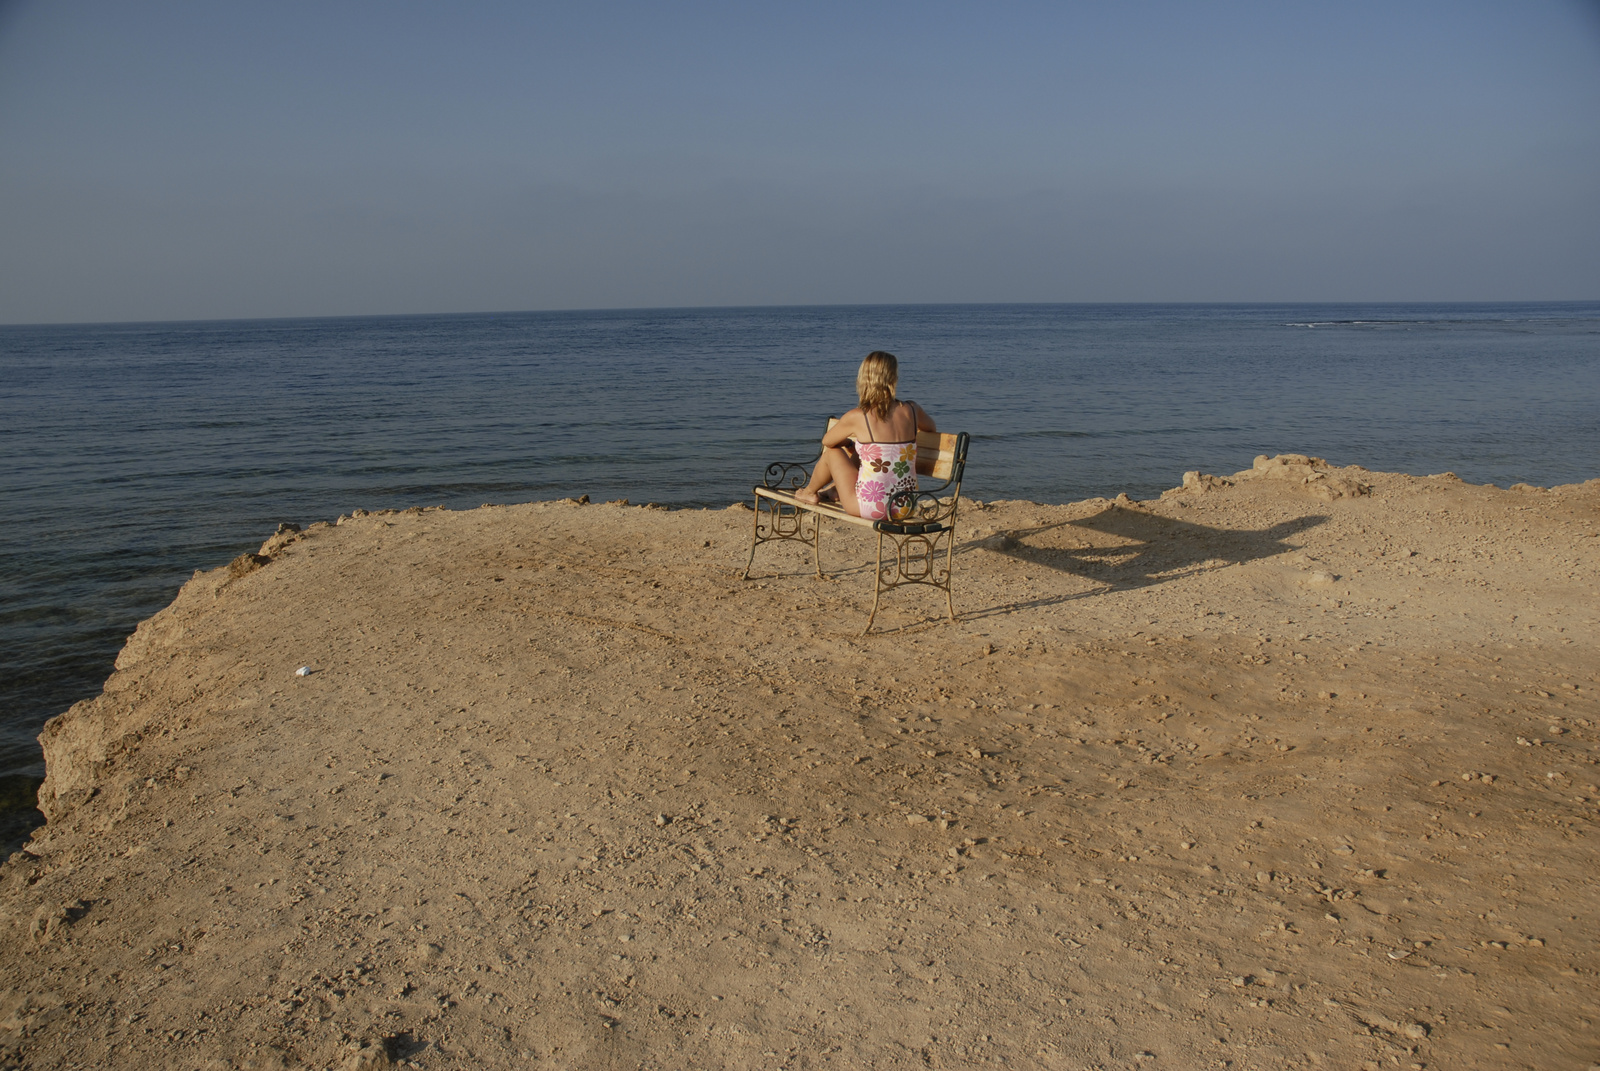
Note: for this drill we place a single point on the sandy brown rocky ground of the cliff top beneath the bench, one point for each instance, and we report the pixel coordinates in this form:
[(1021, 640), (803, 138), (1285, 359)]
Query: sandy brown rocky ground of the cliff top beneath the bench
[(1265, 776)]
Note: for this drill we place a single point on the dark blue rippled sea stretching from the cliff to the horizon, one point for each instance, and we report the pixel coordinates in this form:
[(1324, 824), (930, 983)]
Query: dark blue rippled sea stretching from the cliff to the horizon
[(135, 454)]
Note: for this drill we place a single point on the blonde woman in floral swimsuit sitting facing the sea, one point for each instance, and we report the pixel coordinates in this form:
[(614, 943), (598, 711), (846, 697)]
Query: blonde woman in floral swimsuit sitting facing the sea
[(884, 459)]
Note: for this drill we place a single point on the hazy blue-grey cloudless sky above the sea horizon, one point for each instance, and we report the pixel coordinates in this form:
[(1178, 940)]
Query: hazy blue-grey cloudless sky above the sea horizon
[(169, 161)]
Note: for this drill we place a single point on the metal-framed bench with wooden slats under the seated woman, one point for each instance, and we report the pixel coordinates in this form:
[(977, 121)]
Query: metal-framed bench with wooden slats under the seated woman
[(921, 526)]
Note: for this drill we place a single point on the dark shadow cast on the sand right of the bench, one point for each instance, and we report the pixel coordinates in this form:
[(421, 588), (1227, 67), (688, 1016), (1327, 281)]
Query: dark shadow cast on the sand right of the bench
[(1122, 550)]
